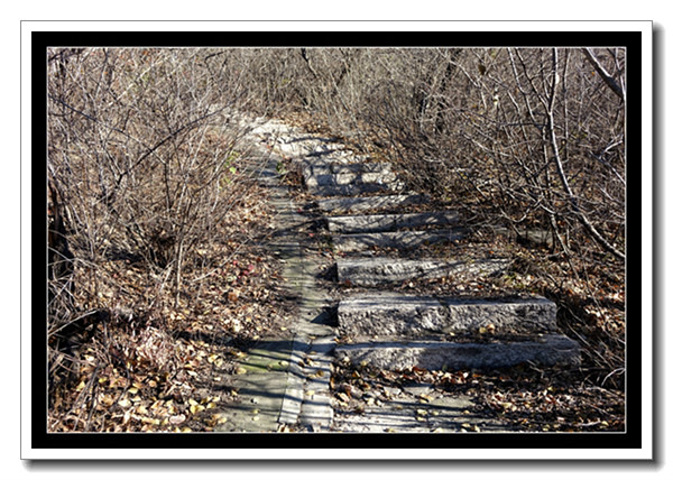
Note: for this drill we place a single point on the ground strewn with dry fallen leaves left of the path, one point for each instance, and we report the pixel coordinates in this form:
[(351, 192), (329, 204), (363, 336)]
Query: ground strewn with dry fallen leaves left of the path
[(142, 362)]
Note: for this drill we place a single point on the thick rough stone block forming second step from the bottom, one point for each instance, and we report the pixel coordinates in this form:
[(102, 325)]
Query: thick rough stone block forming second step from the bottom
[(391, 314)]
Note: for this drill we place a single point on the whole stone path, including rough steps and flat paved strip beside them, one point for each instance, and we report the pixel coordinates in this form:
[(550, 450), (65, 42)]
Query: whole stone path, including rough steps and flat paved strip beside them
[(363, 354)]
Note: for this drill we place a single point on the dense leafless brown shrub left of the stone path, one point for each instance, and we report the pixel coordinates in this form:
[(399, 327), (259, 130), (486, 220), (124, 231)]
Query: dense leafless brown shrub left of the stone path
[(135, 151)]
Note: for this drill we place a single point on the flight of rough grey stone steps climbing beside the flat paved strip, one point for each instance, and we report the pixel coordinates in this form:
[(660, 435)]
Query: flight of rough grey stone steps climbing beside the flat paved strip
[(367, 211)]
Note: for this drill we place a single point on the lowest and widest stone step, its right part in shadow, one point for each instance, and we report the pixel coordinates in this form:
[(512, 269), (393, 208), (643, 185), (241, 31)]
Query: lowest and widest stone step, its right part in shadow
[(544, 350)]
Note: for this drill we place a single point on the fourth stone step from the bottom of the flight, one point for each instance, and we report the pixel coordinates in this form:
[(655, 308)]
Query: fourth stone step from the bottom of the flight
[(356, 242)]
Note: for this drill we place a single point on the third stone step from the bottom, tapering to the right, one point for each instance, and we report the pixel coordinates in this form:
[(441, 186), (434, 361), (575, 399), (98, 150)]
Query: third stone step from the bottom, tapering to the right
[(371, 272)]
